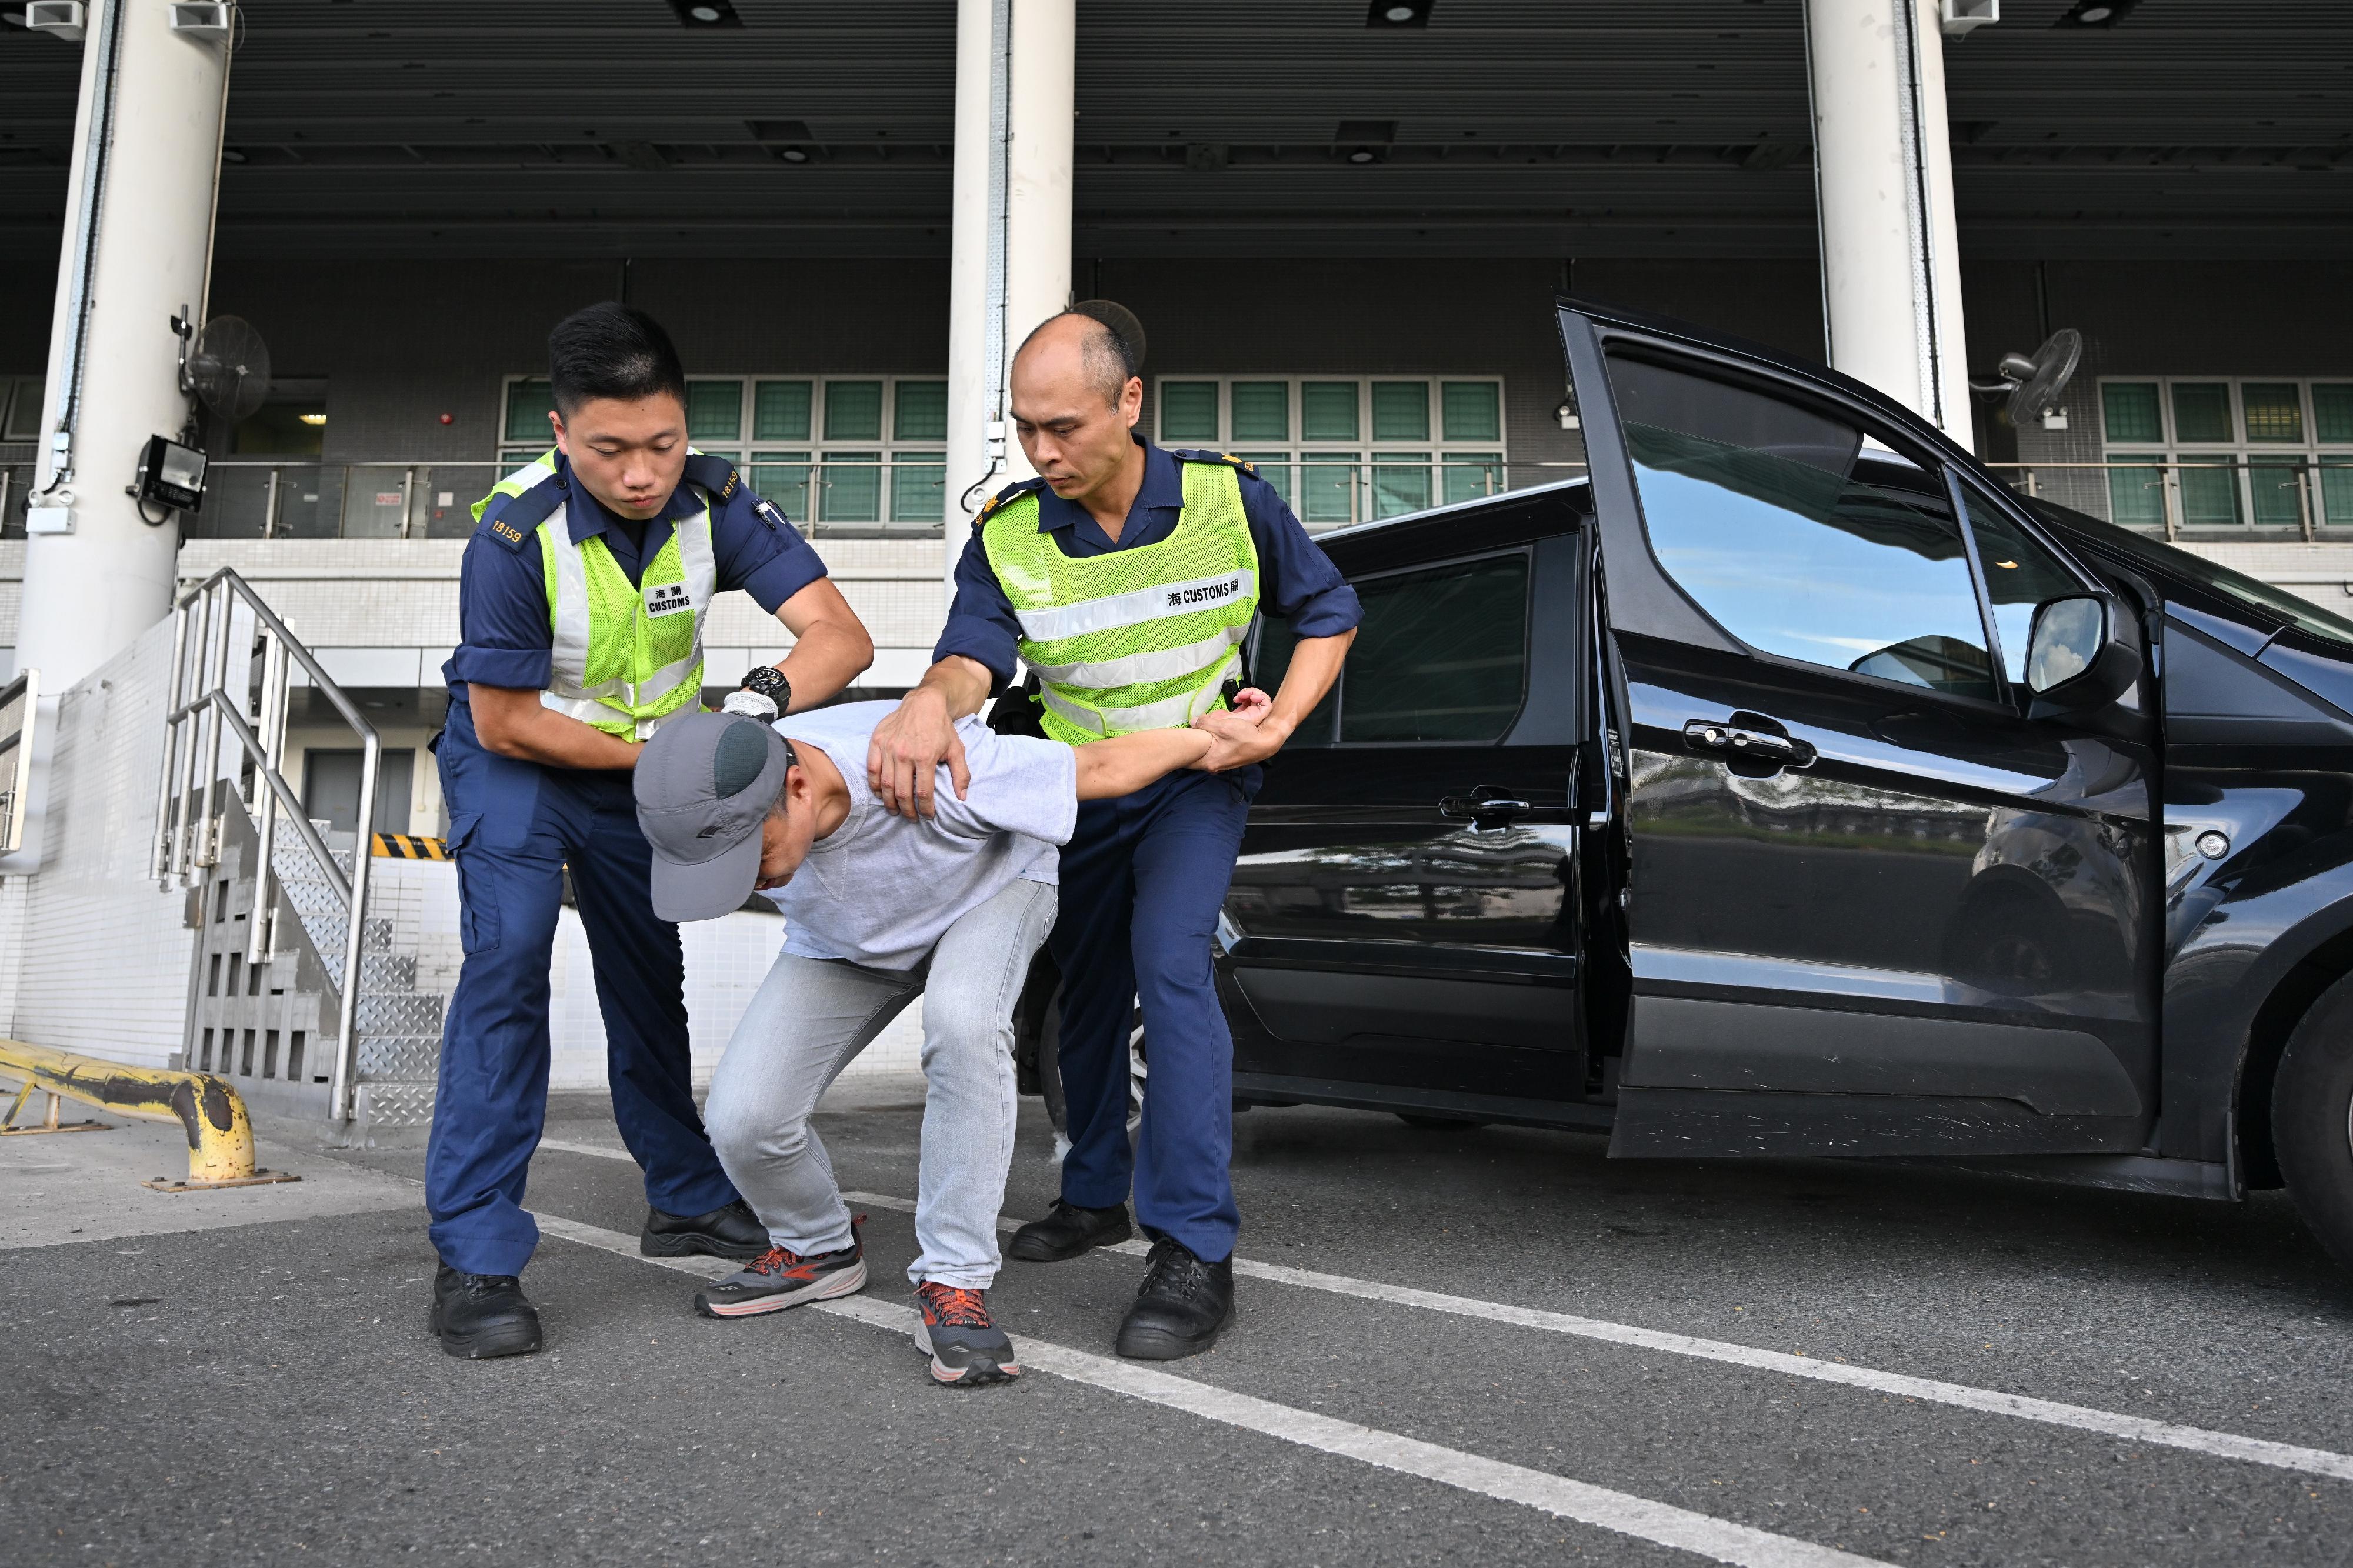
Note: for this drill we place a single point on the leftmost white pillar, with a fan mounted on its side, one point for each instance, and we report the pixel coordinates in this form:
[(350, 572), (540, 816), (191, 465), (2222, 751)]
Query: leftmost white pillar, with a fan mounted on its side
[(135, 255)]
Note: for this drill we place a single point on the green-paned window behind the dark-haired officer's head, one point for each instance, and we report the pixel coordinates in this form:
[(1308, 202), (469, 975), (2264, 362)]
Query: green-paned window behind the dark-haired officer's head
[(841, 451)]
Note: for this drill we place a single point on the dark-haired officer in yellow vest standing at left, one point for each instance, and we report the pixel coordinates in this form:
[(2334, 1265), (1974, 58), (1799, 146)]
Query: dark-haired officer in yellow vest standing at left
[(582, 606)]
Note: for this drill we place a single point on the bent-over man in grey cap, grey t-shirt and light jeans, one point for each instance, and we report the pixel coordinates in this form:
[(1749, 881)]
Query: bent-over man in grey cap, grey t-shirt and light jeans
[(879, 910)]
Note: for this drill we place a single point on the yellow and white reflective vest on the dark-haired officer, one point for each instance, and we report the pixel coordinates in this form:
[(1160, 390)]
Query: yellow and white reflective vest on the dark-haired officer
[(625, 658)]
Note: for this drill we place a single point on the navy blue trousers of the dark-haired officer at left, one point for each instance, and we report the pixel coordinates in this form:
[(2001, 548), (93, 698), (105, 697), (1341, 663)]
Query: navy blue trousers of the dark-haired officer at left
[(512, 832)]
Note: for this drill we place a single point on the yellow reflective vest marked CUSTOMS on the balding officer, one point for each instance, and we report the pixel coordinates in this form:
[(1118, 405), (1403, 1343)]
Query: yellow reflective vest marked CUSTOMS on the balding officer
[(1140, 639)]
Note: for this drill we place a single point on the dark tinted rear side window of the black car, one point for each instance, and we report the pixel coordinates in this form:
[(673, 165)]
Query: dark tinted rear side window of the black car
[(1441, 656)]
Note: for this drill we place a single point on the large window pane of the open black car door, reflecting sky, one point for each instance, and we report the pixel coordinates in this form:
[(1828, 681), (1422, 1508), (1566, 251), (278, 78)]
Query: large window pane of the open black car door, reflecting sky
[(1799, 536)]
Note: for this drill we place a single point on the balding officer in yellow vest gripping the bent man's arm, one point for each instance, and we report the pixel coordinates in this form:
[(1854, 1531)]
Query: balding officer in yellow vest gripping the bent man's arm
[(1128, 578)]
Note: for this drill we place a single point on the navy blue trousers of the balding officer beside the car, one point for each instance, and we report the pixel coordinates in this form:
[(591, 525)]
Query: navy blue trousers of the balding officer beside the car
[(1142, 882)]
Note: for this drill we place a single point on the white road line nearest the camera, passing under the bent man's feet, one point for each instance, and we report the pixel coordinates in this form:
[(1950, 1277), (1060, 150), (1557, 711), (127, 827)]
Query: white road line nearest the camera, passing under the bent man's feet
[(1469, 1473)]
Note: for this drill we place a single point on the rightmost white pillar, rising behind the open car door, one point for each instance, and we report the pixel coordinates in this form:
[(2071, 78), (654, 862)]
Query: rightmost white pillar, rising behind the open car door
[(1884, 168)]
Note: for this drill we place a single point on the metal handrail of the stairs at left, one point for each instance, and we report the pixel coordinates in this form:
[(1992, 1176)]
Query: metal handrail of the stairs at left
[(187, 830)]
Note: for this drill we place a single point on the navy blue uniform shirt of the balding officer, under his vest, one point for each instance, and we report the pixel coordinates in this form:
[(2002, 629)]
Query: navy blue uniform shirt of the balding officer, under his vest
[(1298, 580)]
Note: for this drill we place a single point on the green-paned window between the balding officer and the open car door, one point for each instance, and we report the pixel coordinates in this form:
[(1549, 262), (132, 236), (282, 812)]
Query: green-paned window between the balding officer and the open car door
[(1347, 451)]
